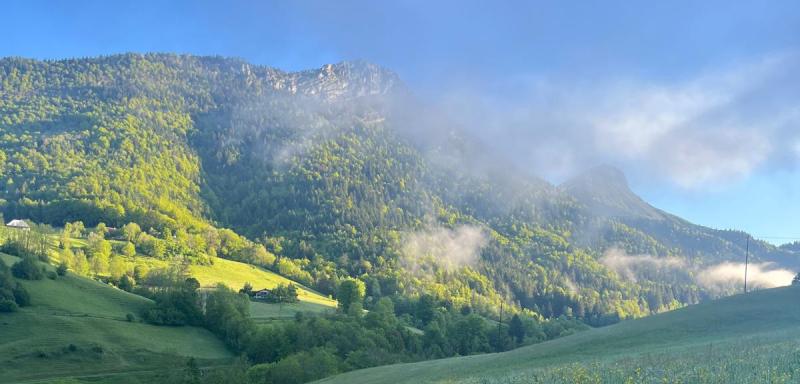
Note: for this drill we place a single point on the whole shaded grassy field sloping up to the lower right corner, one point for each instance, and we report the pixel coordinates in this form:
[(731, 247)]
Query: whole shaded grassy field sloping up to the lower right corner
[(753, 338)]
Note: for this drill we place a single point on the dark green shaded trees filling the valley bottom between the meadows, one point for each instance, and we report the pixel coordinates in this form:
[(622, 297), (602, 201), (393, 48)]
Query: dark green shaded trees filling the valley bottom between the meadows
[(313, 346)]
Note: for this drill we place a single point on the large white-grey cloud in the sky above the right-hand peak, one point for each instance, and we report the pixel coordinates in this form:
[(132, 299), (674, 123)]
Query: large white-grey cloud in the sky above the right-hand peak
[(713, 128)]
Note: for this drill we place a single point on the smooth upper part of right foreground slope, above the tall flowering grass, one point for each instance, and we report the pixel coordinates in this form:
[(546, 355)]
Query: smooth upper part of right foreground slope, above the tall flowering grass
[(765, 317)]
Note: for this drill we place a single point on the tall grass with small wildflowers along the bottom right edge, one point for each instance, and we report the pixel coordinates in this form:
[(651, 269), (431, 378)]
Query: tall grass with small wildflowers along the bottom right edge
[(750, 361)]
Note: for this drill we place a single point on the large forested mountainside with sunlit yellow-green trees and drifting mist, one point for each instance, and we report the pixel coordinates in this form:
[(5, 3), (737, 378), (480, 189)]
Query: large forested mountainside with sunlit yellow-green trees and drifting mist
[(314, 167)]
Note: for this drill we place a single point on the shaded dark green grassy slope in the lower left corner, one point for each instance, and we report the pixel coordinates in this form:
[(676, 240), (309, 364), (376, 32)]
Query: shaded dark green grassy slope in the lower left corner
[(34, 342)]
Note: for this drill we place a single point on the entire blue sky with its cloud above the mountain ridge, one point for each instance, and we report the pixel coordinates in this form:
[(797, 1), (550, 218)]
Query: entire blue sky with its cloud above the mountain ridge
[(696, 101)]
